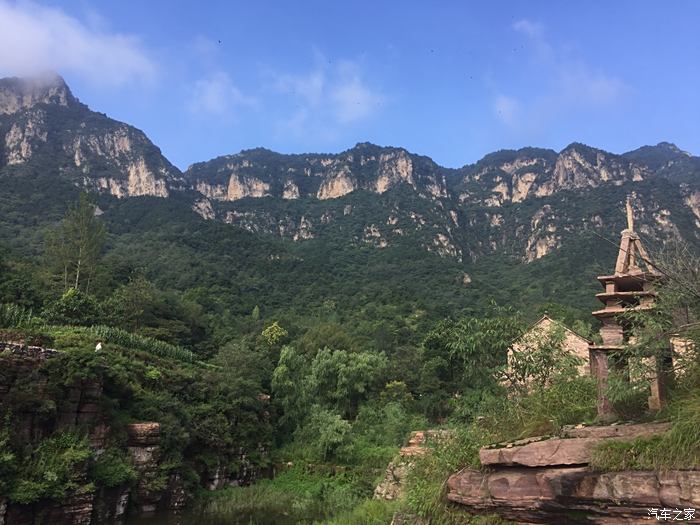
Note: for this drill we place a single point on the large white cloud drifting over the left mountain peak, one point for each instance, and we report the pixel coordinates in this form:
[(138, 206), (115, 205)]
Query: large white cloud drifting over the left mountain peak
[(35, 38)]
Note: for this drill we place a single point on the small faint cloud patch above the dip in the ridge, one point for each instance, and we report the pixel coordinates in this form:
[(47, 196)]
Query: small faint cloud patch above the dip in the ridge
[(217, 95)]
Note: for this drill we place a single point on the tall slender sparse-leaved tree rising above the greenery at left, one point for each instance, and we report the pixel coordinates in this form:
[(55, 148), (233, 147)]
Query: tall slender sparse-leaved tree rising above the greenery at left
[(75, 244)]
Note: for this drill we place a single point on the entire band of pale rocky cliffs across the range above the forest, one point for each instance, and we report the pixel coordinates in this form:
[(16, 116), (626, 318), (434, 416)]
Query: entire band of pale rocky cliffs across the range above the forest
[(525, 203)]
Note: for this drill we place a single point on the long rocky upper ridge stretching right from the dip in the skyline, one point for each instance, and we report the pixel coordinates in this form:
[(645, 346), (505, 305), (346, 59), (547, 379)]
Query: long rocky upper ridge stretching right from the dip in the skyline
[(520, 202)]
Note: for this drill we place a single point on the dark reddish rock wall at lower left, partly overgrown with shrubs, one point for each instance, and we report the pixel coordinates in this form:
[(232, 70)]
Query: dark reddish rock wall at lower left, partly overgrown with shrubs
[(40, 411)]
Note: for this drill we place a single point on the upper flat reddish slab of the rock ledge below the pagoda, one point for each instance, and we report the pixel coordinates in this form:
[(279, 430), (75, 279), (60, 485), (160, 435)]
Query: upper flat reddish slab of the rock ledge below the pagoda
[(572, 450)]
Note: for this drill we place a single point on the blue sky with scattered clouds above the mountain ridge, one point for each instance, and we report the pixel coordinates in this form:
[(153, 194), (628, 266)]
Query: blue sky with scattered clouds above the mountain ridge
[(453, 80)]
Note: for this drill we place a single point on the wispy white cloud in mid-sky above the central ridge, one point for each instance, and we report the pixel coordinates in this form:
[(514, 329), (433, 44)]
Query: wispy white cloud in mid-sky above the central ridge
[(327, 98)]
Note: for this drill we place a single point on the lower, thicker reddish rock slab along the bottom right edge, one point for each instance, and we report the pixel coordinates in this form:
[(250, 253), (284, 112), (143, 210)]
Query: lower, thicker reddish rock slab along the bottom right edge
[(574, 495)]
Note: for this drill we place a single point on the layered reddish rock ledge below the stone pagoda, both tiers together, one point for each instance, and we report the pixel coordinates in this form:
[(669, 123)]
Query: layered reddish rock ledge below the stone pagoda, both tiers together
[(541, 480)]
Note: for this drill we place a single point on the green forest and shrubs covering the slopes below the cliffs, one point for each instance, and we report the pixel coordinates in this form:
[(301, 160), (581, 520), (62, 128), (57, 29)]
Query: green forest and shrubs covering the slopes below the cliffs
[(317, 360)]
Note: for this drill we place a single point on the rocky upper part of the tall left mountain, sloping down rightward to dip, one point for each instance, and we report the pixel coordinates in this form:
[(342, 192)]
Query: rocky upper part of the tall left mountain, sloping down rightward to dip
[(43, 126)]
